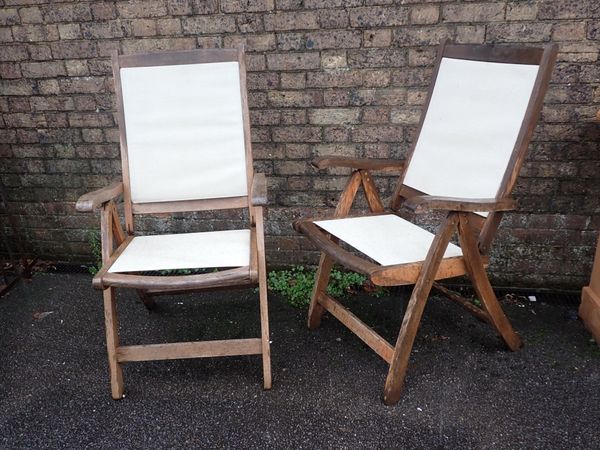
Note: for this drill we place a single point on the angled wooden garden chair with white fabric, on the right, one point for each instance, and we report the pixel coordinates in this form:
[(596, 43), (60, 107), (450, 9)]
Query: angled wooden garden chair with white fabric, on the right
[(477, 122)]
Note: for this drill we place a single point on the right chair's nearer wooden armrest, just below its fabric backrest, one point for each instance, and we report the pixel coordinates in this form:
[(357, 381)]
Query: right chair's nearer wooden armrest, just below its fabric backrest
[(422, 203)]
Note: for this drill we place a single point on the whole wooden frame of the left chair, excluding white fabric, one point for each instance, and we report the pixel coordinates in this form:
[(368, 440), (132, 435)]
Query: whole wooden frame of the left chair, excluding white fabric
[(115, 239)]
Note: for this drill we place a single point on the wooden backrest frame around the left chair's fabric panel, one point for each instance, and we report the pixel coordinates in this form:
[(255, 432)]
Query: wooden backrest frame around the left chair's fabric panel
[(196, 56)]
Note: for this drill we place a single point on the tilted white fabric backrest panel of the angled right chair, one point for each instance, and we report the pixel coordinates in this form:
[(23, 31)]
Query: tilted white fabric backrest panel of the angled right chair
[(471, 127)]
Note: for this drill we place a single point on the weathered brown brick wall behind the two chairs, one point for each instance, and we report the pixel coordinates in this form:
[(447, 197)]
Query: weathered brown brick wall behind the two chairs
[(344, 77)]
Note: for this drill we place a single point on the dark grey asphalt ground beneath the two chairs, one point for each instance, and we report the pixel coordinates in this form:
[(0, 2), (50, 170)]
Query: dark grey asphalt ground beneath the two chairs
[(463, 389)]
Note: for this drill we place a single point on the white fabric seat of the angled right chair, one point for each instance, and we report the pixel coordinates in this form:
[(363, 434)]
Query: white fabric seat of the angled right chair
[(387, 239)]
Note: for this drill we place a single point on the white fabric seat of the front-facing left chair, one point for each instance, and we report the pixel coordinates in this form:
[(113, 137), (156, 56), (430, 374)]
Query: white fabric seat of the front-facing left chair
[(229, 248)]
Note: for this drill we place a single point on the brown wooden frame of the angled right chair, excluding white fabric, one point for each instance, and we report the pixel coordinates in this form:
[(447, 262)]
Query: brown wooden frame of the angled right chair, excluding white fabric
[(475, 232)]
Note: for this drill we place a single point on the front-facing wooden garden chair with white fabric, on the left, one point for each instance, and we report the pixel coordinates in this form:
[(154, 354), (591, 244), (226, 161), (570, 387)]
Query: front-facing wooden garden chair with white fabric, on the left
[(185, 146)]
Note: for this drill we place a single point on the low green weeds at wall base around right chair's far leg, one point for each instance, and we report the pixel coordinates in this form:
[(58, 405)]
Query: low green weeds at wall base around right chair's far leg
[(296, 284)]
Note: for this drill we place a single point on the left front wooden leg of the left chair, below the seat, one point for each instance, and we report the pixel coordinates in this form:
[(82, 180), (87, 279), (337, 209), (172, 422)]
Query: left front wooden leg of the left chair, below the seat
[(112, 343)]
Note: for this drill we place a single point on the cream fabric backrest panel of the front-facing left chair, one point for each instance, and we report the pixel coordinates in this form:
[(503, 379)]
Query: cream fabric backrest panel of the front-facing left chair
[(184, 131)]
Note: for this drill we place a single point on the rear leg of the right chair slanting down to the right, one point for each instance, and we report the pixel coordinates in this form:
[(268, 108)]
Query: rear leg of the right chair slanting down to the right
[(483, 287)]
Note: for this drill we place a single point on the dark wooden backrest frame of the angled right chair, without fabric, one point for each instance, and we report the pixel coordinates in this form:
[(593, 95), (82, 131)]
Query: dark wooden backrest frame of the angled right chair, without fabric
[(544, 57)]
